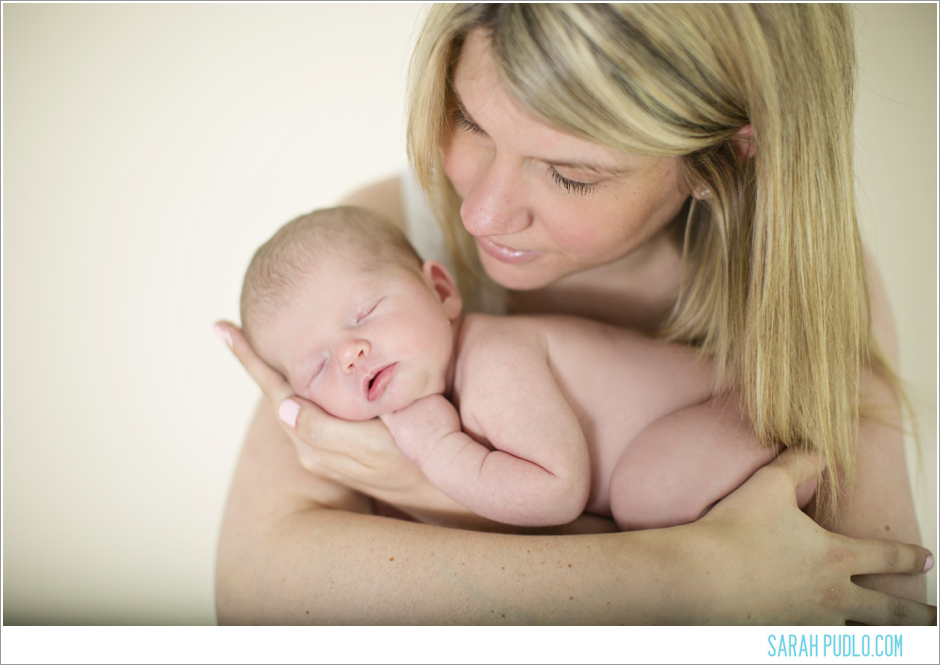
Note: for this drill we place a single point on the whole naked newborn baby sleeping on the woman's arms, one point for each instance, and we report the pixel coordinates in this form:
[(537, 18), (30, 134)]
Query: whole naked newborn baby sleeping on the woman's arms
[(526, 420)]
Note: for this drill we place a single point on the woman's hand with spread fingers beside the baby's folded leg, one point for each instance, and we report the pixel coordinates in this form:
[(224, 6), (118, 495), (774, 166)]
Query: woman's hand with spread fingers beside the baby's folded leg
[(803, 573)]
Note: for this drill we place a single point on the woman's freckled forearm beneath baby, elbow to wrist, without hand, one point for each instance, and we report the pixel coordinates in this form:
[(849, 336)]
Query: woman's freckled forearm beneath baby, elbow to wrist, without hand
[(330, 567)]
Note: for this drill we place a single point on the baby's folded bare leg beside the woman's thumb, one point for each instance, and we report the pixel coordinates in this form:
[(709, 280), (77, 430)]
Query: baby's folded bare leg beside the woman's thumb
[(680, 465)]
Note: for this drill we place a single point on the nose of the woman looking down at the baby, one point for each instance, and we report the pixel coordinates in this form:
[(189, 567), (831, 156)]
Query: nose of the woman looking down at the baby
[(496, 204)]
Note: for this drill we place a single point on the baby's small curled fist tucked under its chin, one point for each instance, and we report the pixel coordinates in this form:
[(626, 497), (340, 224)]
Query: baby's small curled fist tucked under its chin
[(420, 425)]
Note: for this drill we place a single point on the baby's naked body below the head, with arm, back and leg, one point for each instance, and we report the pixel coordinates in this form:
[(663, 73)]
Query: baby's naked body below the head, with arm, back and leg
[(544, 449)]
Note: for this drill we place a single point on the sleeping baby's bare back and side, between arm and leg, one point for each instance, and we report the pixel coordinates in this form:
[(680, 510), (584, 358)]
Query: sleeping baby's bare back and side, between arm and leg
[(617, 381)]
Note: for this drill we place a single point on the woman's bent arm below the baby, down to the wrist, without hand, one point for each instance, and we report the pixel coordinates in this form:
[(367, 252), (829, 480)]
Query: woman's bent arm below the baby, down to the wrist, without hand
[(295, 548)]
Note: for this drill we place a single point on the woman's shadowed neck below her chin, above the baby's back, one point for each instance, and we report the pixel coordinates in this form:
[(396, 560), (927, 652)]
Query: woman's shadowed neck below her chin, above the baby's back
[(638, 291)]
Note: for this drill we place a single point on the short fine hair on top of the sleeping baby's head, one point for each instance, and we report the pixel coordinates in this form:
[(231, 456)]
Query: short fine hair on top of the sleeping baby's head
[(280, 265)]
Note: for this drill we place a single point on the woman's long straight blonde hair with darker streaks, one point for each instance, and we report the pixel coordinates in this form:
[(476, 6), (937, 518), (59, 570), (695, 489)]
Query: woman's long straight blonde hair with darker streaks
[(773, 285)]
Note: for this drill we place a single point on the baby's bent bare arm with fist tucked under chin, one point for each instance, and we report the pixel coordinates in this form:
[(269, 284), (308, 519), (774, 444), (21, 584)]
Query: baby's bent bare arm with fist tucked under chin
[(539, 473)]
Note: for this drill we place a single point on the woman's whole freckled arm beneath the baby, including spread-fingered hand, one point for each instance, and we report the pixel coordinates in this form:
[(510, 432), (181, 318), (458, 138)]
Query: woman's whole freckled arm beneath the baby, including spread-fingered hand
[(297, 549)]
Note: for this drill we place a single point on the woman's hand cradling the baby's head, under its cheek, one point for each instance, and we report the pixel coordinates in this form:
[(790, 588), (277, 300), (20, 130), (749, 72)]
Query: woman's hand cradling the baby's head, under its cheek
[(360, 455)]
